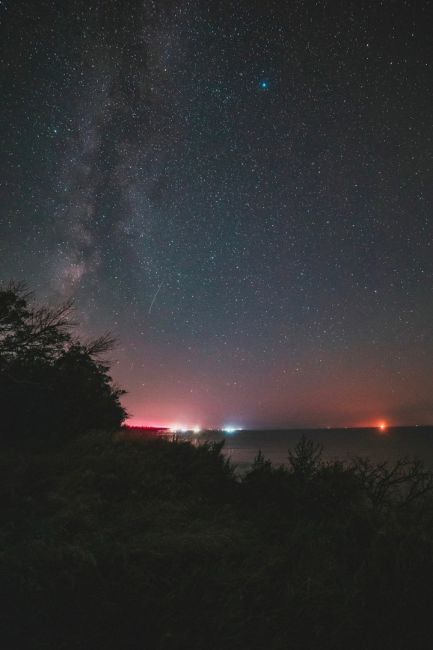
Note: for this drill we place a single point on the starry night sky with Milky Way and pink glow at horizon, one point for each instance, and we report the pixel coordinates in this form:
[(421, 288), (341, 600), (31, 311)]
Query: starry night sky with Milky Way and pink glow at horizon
[(240, 191)]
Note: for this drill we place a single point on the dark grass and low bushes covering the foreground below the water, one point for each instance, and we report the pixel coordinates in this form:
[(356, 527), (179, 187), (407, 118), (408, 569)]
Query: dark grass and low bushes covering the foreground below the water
[(115, 543)]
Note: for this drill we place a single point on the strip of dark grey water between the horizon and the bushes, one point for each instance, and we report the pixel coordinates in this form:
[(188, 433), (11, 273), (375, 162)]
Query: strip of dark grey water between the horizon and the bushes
[(338, 444)]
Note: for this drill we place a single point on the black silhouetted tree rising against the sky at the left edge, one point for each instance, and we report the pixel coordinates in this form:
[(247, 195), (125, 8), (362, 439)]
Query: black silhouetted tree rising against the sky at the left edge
[(50, 382)]
